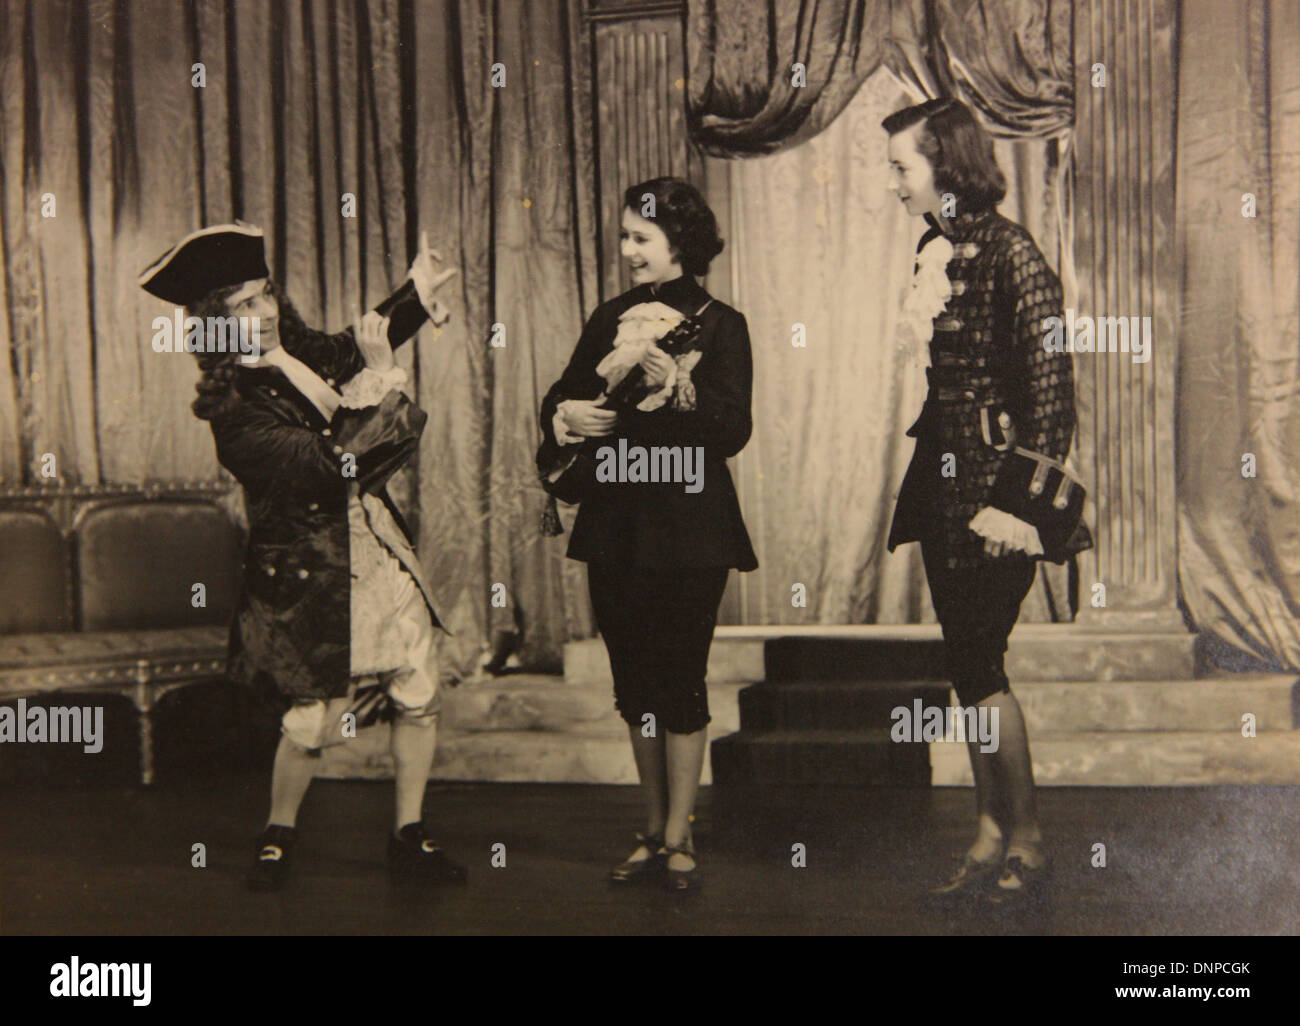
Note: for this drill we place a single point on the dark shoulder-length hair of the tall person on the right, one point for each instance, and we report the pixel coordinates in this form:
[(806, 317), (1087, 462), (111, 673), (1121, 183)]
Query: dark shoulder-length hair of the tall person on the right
[(959, 150)]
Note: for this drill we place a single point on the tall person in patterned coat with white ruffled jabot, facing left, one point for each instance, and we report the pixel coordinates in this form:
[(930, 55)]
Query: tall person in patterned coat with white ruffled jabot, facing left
[(977, 313)]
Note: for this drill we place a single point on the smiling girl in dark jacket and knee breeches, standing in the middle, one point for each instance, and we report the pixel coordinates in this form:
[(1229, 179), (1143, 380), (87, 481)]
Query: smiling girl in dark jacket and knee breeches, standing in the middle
[(661, 527)]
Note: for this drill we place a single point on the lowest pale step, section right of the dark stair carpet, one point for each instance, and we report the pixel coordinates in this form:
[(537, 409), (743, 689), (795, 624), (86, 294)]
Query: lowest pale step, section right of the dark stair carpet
[(1143, 759)]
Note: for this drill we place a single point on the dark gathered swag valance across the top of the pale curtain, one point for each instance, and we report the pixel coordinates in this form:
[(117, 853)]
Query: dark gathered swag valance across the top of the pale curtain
[(1012, 62)]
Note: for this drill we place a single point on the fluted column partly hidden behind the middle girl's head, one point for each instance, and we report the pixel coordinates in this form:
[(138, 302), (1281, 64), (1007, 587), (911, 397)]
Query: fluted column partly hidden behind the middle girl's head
[(640, 131)]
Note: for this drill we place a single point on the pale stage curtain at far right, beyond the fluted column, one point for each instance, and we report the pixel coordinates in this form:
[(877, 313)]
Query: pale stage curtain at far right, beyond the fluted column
[(1240, 341)]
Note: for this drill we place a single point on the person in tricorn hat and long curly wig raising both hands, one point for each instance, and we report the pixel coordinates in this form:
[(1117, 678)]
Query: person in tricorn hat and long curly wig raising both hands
[(335, 621)]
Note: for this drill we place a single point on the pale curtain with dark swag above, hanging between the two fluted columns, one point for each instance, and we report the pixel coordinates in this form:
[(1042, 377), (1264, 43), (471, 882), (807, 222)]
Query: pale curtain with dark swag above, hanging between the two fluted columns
[(818, 241)]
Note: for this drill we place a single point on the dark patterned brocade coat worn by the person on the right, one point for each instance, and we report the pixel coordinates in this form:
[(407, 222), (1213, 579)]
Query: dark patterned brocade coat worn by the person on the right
[(987, 357)]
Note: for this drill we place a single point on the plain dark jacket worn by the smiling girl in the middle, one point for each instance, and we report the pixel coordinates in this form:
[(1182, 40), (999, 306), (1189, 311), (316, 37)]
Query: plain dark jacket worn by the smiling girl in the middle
[(662, 526)]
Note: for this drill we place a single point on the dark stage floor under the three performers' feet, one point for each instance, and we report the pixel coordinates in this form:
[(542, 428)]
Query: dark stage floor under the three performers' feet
[(118, 860)]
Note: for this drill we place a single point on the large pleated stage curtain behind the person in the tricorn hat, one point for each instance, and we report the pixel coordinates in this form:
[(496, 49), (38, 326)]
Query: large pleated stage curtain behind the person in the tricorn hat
[(302, 107)]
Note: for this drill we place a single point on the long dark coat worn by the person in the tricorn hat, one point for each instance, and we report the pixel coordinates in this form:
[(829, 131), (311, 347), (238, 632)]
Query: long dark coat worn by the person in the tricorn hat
[(292, 631)]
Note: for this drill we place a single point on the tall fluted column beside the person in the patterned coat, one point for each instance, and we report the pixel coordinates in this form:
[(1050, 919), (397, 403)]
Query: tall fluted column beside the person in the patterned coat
[(1124, 250)]
